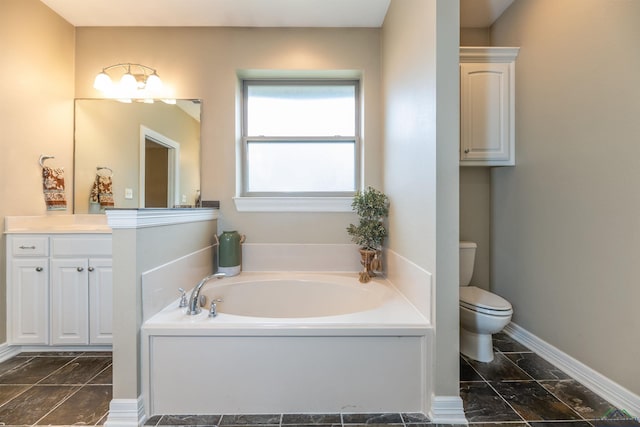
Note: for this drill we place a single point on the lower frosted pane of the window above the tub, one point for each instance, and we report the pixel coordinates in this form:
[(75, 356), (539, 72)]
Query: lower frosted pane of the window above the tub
[(301, 167)]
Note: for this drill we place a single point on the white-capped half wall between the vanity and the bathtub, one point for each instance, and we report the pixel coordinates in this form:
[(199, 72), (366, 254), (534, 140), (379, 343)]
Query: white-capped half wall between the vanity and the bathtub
[(135, 254)]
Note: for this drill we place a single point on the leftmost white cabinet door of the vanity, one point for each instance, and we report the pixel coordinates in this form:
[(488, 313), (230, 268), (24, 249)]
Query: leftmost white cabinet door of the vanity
[(28, 311)]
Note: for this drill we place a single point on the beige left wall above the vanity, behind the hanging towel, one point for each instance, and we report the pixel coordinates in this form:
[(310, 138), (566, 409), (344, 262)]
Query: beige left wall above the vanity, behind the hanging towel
[(36, 114)]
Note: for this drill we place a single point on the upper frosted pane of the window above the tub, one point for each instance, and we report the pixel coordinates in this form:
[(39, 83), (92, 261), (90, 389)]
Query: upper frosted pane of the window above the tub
[(290, 110)]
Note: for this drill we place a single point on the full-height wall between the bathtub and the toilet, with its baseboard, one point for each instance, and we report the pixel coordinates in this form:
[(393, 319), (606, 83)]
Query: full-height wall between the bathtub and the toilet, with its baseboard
[(420, 42)]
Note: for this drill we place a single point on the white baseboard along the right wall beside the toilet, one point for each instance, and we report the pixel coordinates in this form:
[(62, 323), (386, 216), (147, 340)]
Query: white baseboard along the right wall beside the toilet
[(609, 390)]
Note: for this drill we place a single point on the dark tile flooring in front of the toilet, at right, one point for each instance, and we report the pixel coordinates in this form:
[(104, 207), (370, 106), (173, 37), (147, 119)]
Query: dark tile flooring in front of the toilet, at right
[(521, 388)]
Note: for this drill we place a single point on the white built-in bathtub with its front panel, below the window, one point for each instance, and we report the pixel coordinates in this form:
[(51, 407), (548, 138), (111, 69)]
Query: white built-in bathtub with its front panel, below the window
[(287, 343)]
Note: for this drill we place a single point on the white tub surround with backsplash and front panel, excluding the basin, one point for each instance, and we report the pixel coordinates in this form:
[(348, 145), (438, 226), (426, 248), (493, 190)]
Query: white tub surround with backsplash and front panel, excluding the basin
[(404, 324)]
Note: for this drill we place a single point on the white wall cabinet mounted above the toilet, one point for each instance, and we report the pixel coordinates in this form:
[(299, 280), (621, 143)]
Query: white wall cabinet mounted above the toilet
[(487, 106)]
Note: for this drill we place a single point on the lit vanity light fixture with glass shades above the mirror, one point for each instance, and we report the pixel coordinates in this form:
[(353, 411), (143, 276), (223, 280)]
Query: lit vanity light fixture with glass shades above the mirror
[(137, 82)]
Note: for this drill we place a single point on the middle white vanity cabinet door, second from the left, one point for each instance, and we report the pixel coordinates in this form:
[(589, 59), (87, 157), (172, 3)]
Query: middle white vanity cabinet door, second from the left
[(69, 301)]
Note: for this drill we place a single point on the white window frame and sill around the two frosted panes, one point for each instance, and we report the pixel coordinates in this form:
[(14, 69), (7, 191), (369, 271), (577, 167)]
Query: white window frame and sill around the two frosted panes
[(297, 201)]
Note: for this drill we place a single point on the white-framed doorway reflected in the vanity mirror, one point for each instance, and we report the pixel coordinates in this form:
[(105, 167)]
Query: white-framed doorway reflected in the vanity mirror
[(159, 170)]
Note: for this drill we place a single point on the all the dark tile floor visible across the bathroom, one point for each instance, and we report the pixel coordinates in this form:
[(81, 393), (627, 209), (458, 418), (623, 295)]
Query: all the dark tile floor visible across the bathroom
[(517, 389)]
